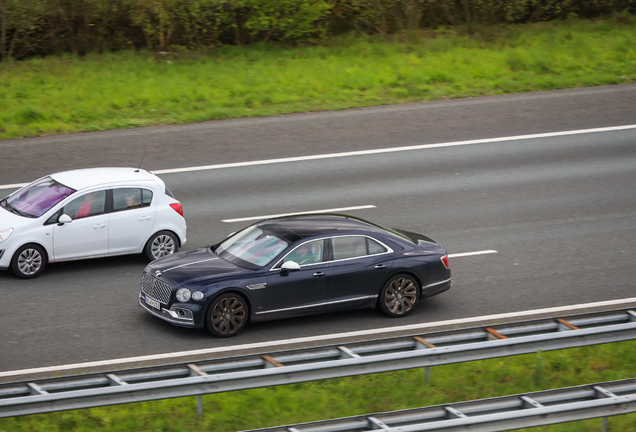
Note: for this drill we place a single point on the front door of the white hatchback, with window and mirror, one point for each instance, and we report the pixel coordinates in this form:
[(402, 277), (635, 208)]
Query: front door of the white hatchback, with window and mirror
[(87, 234)]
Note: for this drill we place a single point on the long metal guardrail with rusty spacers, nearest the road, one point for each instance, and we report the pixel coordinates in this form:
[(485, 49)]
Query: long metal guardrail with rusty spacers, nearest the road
[(238, 373)]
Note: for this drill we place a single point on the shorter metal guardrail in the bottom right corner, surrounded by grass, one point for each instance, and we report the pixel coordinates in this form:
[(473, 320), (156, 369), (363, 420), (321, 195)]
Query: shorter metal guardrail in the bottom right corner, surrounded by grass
[(488, 415)]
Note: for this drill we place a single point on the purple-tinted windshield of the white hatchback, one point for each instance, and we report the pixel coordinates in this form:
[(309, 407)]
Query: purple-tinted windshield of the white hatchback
[(37, 198)]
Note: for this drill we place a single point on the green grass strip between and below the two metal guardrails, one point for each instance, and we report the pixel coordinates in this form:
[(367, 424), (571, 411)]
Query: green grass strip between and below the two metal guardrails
[(366, 394)]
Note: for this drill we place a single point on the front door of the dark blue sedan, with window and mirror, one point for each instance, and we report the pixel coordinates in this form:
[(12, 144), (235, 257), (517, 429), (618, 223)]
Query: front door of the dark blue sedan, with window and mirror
[(302, 291)]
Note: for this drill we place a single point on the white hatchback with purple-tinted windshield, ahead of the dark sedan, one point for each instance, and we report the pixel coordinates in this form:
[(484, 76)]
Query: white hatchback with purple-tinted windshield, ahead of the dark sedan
[(88, 213)]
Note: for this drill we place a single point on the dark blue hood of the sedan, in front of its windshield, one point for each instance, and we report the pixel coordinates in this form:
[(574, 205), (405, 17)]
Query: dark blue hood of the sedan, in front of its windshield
[(185, 268)]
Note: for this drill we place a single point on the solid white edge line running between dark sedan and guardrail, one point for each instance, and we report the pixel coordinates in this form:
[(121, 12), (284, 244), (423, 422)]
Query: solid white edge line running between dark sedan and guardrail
[(330, 337)]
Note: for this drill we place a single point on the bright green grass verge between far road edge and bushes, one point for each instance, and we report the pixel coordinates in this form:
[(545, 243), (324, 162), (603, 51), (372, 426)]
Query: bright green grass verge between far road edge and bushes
[(129, 89)]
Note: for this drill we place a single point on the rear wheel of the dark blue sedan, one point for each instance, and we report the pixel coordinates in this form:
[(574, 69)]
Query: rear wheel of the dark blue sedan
[(399, 296)]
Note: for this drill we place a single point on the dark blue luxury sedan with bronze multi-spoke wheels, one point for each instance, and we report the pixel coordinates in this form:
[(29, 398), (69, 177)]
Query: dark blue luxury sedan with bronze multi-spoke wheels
[(293, 266)]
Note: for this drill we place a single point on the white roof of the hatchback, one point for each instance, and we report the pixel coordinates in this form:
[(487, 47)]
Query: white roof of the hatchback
[(90, 177)]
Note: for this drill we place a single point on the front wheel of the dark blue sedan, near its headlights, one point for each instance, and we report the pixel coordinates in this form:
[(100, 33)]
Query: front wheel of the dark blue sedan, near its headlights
[(227, 315)]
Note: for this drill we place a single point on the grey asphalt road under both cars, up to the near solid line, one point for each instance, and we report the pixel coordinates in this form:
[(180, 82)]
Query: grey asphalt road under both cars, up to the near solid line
[(560, 211)]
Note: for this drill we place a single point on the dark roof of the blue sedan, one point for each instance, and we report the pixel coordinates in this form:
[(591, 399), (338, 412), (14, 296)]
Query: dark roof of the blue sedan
[(294, 228)]
